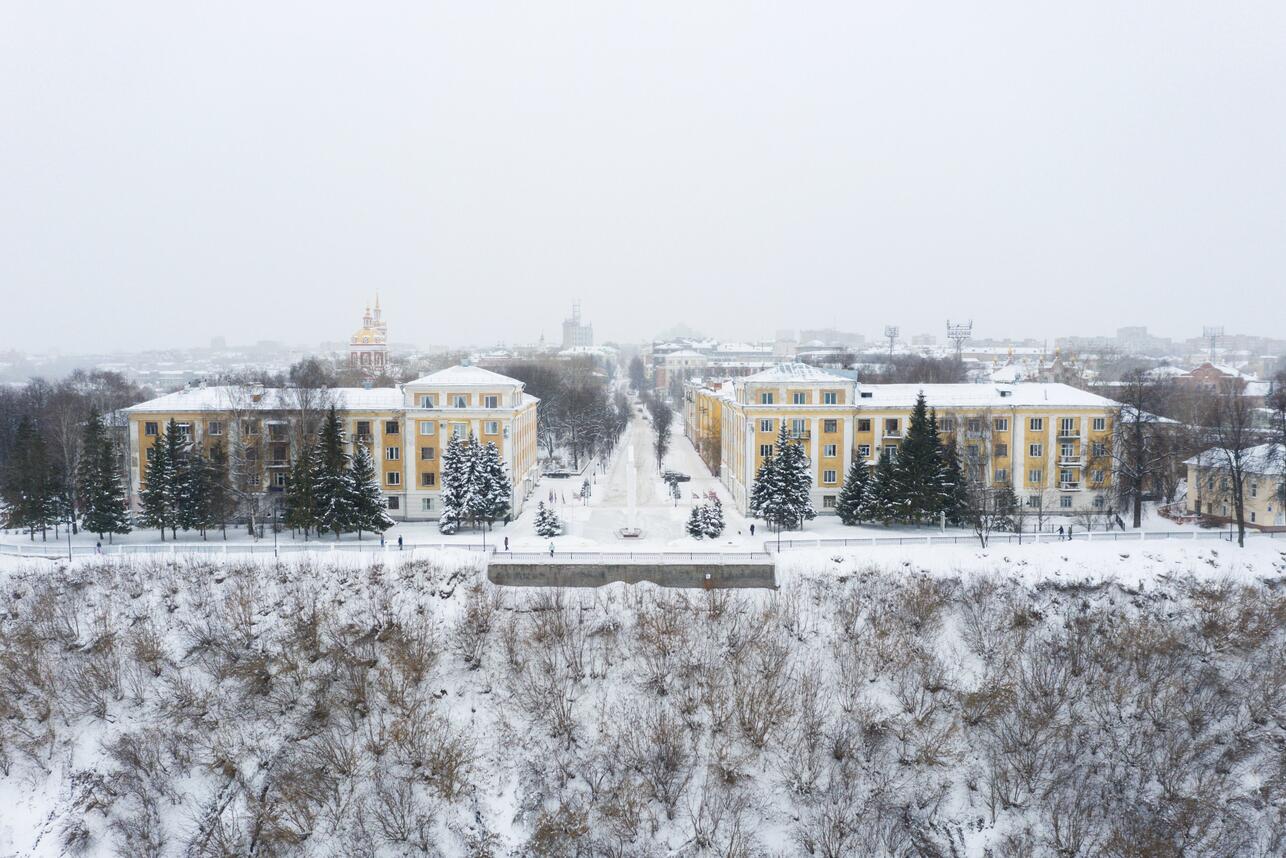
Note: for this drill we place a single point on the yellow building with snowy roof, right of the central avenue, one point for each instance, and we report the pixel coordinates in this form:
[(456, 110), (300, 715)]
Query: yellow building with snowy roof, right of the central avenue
[(1050, 443)]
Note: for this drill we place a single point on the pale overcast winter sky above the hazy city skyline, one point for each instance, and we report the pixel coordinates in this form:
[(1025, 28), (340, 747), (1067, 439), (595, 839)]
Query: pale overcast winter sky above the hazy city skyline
[(172, 172)]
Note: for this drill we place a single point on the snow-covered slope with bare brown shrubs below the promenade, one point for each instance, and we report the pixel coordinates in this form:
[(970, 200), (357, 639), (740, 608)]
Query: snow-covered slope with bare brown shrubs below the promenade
[(969, 703)]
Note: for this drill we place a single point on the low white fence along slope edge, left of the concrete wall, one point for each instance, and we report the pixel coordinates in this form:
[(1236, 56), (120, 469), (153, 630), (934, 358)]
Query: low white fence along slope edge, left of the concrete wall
[(53, 551)]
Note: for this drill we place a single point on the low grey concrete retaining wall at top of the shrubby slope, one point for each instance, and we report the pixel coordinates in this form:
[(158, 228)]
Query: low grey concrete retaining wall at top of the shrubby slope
[(694, 576)]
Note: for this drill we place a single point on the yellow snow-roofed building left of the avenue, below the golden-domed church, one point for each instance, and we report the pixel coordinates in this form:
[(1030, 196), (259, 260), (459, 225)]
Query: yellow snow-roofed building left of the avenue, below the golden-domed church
[(404, 428)]
